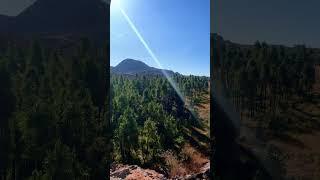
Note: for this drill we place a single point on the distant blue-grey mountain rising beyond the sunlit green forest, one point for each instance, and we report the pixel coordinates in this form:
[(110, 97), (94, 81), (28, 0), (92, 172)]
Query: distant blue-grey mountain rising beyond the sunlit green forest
[(132, 67)]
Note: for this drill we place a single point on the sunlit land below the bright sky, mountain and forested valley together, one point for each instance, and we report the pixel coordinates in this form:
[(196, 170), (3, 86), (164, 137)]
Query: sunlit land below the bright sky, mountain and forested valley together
[(172, 133)]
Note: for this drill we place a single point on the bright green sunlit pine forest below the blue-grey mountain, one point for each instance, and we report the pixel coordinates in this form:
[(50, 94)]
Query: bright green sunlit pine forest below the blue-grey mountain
[(149, 117)]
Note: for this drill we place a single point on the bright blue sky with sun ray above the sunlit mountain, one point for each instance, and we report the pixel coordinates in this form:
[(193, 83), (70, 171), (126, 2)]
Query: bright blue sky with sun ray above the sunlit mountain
[(177, 31)]
